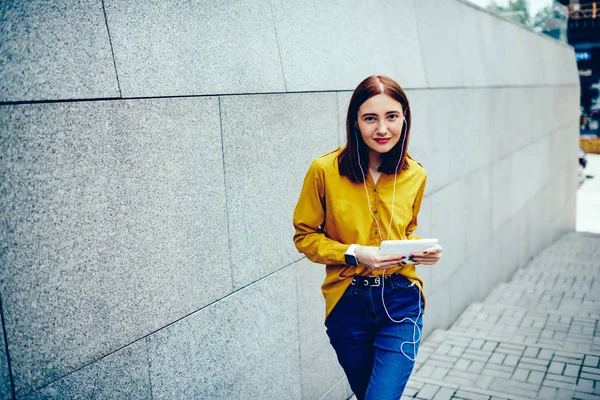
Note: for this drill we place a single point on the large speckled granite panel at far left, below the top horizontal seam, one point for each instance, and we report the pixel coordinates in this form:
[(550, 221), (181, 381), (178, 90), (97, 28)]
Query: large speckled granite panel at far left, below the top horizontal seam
[(112, 215)]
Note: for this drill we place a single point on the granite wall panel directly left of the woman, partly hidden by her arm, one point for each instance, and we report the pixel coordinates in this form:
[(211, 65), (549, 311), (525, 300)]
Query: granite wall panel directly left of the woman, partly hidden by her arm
[(269, 142)]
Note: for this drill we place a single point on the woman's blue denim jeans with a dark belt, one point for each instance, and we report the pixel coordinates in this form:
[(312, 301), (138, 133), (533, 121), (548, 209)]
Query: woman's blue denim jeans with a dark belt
[(376, 353)]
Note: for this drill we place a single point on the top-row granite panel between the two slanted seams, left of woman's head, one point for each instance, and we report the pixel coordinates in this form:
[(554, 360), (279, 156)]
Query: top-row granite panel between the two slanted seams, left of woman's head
[(194, 47)]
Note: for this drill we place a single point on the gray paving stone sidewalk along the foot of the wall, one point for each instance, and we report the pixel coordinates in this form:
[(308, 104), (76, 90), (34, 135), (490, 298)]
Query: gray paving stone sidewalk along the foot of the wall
[(535, 337)]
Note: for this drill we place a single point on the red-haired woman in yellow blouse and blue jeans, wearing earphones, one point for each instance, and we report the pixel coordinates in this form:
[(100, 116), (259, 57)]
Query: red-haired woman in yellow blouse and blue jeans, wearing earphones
[(352, 199)]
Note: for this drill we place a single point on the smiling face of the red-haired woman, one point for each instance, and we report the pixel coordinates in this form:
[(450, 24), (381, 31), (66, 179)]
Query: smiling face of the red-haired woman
[(380, 123)]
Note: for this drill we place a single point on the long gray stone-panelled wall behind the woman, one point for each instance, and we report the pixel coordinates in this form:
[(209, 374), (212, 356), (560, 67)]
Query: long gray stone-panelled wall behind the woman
[(152, 154)]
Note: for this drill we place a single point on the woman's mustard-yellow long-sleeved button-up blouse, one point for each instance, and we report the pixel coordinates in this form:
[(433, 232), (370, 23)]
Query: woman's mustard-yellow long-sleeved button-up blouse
[(333, 213)]
